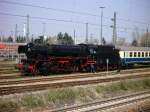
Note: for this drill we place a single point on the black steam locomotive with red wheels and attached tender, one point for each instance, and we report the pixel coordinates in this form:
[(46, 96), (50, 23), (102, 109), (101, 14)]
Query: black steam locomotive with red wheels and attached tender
[(45, 59)]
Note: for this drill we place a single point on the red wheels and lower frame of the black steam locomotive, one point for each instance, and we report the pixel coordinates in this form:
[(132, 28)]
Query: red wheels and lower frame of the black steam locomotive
[(58, 65)]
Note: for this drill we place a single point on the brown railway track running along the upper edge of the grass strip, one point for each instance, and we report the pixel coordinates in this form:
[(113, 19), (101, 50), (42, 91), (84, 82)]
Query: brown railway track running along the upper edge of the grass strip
[(42, 85)]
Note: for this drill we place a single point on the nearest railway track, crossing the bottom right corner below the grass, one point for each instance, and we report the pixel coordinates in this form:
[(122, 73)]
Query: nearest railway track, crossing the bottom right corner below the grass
[(102, 105)]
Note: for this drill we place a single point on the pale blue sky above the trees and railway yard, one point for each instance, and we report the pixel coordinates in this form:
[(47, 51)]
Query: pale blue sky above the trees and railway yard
[(131, 15)]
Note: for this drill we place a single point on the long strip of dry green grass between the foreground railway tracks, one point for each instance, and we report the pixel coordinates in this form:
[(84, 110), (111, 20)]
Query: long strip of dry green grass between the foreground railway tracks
[(69, 96)]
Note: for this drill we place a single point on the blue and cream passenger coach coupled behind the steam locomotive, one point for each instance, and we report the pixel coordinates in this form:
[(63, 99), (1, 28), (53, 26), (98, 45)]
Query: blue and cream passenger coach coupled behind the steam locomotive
[(134, 55)]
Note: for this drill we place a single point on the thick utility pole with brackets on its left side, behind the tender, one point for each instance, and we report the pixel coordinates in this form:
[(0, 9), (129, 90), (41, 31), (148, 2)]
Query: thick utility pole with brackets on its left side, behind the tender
[(114, 29)]
